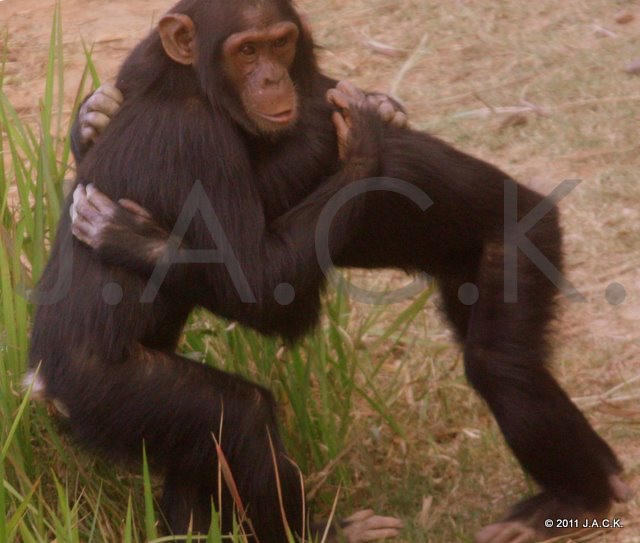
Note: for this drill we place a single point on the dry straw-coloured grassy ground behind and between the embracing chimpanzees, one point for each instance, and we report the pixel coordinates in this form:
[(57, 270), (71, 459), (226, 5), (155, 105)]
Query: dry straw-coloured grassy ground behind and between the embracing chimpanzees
[(540, 89)]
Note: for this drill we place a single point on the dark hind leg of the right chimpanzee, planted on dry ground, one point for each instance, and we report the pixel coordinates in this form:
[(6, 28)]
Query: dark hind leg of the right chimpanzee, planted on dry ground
[(505, 351)]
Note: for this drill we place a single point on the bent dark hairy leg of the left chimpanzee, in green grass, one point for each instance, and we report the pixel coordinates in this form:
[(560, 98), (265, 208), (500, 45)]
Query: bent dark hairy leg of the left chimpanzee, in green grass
[(179, 408)]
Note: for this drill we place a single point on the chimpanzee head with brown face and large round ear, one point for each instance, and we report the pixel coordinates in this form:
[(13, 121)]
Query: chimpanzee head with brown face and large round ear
[(253, 58)]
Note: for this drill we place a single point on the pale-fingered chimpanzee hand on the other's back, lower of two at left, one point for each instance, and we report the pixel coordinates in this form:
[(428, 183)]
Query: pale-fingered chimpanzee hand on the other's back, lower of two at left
[(119, 233)]
